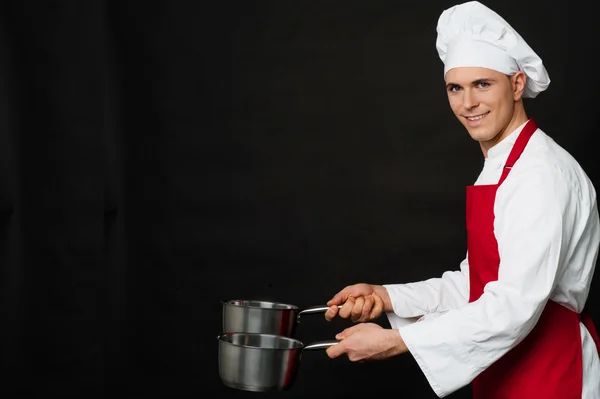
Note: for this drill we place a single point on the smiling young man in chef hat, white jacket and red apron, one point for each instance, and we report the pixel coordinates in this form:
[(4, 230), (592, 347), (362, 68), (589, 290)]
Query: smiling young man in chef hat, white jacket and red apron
[(511, 321)]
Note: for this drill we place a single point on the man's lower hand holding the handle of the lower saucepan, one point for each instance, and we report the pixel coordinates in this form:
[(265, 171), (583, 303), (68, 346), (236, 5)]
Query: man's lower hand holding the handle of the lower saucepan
[(368, 342)]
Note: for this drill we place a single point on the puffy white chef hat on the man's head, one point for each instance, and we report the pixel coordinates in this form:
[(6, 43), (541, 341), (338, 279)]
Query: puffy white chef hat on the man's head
[(470, 34)]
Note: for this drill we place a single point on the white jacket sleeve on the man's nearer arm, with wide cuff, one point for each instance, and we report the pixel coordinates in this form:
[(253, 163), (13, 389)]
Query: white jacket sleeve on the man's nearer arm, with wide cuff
[(536, 215)]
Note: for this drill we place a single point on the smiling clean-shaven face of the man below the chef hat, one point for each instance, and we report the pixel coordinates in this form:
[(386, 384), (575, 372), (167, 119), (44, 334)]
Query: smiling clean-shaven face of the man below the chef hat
[(483, 100)]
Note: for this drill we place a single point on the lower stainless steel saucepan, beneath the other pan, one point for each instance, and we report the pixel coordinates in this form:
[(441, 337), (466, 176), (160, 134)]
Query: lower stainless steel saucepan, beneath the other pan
[(261, 362)]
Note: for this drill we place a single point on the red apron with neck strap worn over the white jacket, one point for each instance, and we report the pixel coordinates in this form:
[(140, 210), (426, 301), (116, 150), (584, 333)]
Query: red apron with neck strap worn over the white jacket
[(548, 362)]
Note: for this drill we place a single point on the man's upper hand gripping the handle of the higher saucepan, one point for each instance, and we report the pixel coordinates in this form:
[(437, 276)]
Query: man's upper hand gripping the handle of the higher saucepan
[(360, 302)]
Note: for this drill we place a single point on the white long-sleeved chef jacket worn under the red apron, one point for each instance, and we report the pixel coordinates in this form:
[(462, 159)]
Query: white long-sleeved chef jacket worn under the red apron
[(547, 228)]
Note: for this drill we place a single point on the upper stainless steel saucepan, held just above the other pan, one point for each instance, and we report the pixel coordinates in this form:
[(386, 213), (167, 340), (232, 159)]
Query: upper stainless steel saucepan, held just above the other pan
[(264, 317)]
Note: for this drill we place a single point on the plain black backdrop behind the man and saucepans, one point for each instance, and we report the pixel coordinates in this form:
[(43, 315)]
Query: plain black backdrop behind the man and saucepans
[(159, 157)]
